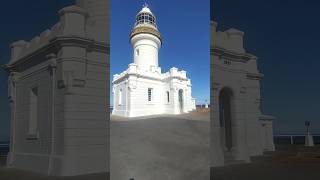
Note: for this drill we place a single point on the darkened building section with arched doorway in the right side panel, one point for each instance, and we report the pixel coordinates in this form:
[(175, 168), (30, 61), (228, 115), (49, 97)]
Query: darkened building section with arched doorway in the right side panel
[(239, 130)]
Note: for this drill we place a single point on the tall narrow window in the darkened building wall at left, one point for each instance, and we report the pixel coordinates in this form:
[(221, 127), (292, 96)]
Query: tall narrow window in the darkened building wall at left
[(33, 116)]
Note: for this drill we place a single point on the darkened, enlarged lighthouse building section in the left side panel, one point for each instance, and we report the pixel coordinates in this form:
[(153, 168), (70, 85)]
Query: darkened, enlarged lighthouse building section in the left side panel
[(58, 94)]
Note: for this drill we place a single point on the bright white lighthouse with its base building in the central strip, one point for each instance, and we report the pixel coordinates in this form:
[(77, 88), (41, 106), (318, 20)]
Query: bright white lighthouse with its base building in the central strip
[(143, 89)]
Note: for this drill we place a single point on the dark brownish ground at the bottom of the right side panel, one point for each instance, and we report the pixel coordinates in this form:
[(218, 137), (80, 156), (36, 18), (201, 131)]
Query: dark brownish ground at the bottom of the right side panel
[(289, 162)]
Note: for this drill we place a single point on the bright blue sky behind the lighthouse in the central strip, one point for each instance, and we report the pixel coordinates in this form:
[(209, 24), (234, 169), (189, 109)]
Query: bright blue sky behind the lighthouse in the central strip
[(185, 30)]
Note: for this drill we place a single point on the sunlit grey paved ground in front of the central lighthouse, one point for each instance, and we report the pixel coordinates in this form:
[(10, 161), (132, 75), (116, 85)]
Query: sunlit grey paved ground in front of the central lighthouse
[(166, 147)]
